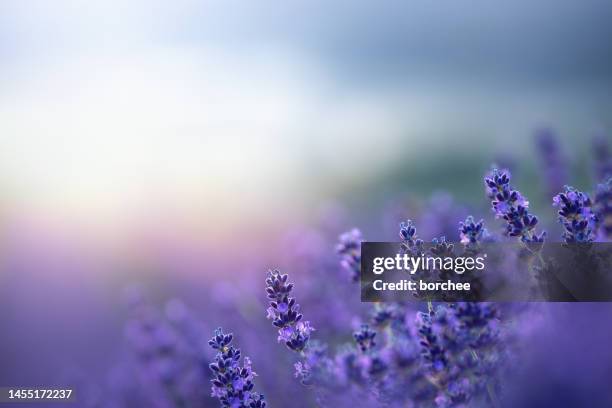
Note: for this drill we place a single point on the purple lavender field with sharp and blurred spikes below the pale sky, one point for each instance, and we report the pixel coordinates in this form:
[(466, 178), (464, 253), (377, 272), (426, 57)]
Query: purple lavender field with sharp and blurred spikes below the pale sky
[(238, 332)]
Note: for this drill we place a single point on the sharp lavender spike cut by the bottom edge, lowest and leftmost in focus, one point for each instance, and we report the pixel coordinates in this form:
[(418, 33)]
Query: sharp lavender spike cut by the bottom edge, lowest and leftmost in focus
[(232, 384)]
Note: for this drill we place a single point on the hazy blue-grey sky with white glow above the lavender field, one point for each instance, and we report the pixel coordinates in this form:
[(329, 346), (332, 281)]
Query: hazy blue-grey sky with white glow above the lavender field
[(244, 110)]
